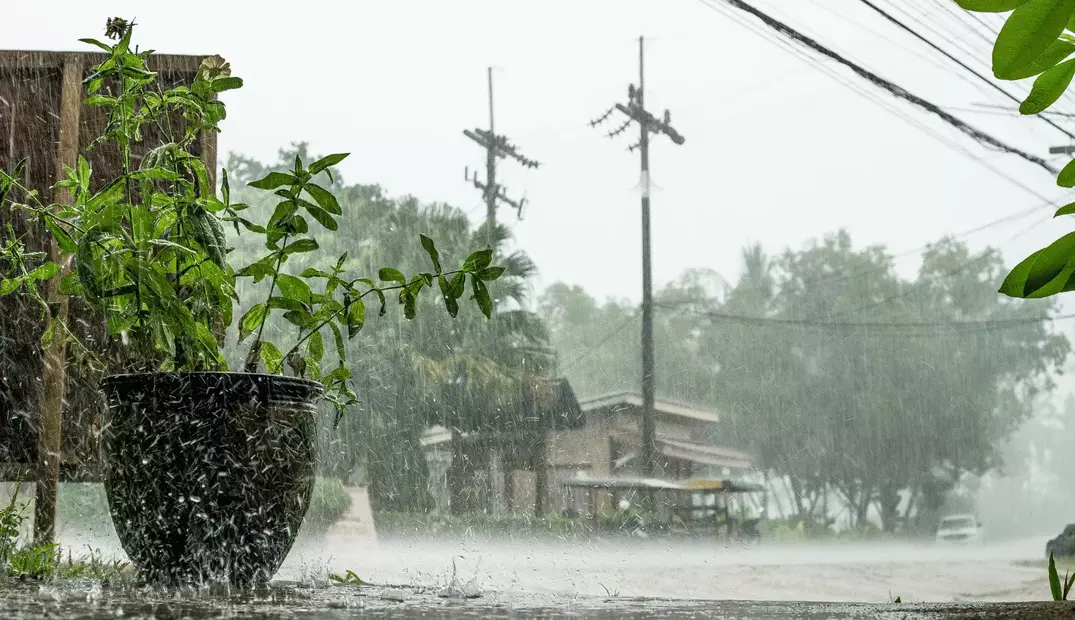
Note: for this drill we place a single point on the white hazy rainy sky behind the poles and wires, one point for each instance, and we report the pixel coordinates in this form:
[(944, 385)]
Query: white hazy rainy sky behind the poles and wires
[(777, 151)]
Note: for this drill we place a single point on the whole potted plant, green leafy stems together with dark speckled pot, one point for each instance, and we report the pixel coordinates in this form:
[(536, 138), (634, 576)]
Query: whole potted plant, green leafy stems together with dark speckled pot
[(209, 473)]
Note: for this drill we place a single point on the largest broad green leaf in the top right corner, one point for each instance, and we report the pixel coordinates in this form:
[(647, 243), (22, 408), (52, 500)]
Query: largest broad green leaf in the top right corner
[(1028, 33)]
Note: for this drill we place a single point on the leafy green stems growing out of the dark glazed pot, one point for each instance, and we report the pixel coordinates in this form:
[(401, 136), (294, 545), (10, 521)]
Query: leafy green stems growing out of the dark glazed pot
[(150, 250)]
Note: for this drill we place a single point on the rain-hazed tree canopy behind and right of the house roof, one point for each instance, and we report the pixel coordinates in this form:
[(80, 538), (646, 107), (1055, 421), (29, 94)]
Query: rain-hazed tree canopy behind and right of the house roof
[(839, 374)]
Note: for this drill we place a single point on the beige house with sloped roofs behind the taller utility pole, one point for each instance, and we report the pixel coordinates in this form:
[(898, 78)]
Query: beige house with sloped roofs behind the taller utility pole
[(524, 472)]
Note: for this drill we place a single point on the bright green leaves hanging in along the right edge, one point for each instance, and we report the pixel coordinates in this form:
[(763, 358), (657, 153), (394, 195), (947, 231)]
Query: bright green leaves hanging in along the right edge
[(1037, 42)]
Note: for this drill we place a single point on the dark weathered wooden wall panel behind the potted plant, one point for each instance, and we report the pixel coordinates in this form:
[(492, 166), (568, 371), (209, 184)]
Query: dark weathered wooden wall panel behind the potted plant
[(32, 118)]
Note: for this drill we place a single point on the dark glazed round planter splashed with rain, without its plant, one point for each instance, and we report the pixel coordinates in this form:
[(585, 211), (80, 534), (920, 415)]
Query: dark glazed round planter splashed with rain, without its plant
[(209, 475)]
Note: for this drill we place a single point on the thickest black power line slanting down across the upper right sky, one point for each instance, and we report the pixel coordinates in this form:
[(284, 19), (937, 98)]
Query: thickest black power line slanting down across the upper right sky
[(899, 92)]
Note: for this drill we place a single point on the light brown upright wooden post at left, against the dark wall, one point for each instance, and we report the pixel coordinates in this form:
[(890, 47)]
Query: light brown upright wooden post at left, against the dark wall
[(54, 380)]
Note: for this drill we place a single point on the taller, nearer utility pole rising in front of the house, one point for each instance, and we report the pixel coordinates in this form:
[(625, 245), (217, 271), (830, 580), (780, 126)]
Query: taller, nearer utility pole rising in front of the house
[(648, 124)]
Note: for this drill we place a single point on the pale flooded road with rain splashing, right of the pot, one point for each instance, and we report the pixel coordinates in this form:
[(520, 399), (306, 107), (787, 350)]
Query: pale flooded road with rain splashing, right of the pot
[(868, 573)]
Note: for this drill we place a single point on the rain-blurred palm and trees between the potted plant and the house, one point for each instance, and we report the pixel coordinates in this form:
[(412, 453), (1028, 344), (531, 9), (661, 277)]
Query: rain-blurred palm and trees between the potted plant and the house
[(469, 373)]
